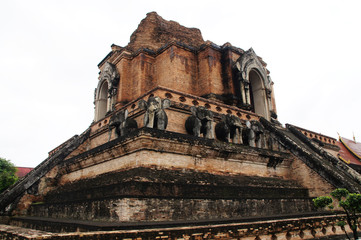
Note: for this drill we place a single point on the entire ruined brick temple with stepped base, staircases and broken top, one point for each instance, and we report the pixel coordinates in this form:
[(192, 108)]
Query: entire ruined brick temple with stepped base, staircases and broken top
[(185, 144)]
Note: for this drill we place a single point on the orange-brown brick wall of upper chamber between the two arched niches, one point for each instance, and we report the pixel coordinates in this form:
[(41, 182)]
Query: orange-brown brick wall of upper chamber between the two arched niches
[(200, 72)]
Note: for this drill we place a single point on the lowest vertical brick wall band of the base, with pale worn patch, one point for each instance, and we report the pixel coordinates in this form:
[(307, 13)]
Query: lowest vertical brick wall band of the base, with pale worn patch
[(160, 209)]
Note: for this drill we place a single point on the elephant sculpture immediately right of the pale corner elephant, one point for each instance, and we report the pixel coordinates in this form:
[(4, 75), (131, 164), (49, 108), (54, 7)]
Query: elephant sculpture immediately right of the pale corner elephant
[(201, 122)]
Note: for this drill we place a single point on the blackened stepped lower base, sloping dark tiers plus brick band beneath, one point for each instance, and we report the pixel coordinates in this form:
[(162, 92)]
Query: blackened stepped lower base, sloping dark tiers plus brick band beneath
[(154, 195)]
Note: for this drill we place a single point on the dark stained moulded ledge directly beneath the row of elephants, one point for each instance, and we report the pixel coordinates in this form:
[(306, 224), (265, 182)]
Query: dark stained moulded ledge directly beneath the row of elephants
[(150, 135)]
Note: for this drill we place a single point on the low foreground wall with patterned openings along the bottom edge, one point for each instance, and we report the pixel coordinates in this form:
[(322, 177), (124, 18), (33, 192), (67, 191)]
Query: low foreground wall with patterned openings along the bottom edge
[(287, 227)]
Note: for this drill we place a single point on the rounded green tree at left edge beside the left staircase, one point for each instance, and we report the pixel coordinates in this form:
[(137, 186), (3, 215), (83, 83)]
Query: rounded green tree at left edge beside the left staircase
[(7, 174)]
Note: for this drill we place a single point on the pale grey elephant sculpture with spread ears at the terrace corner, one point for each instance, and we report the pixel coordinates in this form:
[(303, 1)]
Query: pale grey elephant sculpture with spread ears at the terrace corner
[(155, 116)]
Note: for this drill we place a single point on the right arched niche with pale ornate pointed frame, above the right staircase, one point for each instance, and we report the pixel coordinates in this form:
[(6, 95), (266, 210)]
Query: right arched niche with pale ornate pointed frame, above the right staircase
[(255, 87)]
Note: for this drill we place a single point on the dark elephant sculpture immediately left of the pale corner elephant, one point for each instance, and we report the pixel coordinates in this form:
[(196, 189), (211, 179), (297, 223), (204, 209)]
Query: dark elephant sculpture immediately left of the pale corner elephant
[(122, 123)]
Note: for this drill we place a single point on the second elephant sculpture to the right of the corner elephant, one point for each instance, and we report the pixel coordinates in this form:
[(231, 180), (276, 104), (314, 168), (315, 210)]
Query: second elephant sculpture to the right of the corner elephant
[(229, 128)]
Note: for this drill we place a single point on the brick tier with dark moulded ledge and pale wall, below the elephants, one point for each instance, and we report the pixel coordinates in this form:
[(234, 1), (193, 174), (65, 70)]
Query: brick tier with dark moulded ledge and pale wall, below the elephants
[(149, 147)]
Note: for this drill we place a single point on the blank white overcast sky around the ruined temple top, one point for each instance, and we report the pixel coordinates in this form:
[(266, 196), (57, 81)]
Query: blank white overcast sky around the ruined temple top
[(49, 51)]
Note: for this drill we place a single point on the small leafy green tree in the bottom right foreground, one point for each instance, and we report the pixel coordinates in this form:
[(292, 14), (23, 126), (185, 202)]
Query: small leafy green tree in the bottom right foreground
[(349, 202)]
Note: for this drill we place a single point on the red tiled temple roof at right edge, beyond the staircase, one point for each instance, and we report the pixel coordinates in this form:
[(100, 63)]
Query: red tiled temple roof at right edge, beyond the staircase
[(350, 151)]
